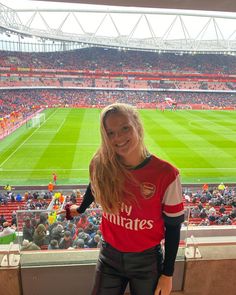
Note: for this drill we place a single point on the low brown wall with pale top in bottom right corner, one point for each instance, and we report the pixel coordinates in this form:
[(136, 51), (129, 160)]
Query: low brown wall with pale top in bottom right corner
[(213, 274)]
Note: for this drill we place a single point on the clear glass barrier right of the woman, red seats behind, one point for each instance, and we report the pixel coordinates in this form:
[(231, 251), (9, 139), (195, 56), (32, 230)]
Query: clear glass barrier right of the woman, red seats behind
[(210, 218)]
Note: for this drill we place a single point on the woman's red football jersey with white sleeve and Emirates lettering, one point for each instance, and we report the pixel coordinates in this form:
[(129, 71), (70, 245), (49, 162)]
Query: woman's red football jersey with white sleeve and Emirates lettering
[(140, 224)]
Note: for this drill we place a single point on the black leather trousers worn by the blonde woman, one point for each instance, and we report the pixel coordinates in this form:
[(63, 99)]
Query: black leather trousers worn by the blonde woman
[(116, 269)]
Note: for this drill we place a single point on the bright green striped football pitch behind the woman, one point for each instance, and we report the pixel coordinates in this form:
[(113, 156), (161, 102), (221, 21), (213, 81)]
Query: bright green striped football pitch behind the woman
[(202, 144)]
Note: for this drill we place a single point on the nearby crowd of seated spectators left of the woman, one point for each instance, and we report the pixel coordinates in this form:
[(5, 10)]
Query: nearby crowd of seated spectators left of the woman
[(43, 230)]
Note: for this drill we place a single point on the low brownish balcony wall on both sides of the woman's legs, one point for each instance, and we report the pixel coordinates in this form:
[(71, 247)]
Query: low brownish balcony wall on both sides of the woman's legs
[(212, 274)]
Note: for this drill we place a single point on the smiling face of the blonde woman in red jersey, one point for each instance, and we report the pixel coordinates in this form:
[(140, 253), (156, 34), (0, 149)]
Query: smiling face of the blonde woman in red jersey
[(123, 138)]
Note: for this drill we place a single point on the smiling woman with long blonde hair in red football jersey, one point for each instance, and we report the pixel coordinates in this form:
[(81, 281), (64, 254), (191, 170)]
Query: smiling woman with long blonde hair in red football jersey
[(141, 199)]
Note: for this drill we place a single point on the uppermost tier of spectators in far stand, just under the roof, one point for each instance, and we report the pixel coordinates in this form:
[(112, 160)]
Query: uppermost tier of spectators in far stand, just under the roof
[(116, 60)]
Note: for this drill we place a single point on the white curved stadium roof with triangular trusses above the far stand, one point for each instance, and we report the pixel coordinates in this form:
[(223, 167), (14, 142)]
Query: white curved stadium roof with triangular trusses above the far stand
[(67, 26)]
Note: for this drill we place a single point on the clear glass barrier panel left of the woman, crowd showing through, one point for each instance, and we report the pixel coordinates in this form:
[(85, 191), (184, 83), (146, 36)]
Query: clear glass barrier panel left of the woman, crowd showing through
[(41, 230)]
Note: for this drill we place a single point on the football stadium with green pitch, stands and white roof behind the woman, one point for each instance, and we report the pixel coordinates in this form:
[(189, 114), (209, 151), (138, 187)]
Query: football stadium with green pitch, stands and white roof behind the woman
[(59, 67)]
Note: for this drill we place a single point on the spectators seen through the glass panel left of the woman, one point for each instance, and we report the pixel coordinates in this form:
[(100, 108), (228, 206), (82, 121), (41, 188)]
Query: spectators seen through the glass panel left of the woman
[(42, 232)]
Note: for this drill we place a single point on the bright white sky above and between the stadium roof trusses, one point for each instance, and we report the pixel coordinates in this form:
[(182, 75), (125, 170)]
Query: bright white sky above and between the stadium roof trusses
[(125, 23)]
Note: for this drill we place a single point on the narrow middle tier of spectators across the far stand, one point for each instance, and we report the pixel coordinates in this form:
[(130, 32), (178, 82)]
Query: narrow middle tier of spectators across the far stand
[(113, 82)]
